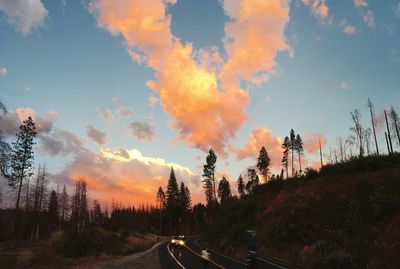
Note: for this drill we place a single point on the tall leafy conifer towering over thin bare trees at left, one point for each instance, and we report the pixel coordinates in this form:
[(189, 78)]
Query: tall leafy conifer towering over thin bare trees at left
[(22, 157)]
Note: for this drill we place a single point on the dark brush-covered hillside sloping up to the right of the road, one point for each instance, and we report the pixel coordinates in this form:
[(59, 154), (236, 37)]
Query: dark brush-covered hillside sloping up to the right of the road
[(348, 216)]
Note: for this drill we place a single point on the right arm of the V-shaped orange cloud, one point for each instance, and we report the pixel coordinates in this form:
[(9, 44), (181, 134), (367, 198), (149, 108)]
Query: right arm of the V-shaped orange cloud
[(253, 38)]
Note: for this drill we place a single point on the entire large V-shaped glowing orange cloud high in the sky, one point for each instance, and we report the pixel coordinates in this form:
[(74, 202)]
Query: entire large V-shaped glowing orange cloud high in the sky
[(187, 81)]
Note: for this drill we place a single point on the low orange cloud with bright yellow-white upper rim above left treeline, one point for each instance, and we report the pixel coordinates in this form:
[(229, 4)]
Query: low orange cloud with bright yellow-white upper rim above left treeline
[(126, 176)]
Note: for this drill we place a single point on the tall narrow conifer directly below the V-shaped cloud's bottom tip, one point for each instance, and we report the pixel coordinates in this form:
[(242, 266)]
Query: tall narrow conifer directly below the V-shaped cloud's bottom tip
[(209, 176)]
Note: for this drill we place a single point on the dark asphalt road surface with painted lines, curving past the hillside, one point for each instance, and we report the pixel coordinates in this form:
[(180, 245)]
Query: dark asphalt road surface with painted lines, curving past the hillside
[(188, 257)]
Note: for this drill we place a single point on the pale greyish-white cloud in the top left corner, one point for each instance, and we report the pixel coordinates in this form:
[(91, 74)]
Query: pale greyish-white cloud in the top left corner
[(24, 14)]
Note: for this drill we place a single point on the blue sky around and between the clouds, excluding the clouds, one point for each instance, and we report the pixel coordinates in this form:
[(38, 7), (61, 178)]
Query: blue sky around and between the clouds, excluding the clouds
[(67, 63)]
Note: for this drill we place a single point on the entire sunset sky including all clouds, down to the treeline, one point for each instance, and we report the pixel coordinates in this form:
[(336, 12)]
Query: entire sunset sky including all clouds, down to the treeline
[(121, 91)]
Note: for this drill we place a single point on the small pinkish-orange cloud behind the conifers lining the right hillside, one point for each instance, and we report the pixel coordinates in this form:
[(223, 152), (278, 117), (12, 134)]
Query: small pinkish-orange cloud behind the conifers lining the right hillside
[(259, 137)]
